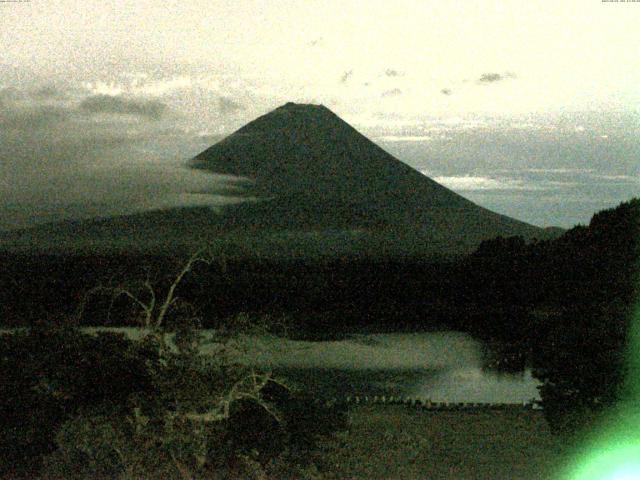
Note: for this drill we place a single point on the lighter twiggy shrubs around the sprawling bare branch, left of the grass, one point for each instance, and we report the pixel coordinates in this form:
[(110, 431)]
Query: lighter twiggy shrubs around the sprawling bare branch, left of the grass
[(209, 417)]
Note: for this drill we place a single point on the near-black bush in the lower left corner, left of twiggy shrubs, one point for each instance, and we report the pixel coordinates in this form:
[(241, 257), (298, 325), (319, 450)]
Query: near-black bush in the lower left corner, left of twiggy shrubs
[(49, 373)]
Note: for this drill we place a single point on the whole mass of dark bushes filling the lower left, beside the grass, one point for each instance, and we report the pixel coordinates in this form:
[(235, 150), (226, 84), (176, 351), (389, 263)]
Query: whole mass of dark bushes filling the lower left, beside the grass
[(75, 405)]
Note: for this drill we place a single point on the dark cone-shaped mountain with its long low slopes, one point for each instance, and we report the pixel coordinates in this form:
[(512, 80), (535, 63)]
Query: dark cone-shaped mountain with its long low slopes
[(325, 189)]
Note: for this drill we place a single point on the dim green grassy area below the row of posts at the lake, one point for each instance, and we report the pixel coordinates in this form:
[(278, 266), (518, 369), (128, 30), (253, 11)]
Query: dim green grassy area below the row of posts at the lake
[(404, 443)]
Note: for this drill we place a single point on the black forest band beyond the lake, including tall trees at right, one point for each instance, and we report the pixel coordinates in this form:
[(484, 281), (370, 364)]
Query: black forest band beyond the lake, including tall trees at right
[(562, 305)]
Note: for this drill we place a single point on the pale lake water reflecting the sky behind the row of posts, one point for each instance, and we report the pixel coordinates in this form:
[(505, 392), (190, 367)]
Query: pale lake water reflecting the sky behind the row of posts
[(442, 366)]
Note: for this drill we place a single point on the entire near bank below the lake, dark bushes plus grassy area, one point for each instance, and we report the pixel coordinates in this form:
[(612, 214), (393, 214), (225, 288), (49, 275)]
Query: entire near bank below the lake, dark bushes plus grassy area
[(81, 406)]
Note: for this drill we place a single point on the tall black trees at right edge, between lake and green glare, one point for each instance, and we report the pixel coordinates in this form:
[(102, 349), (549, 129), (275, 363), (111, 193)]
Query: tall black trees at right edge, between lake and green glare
[(580, 351)]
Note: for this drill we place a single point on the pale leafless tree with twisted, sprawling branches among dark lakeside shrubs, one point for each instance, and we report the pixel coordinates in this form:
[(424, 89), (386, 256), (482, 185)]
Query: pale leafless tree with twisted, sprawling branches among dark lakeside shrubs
[(216, 406)]
